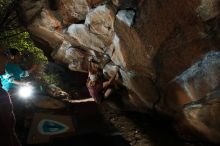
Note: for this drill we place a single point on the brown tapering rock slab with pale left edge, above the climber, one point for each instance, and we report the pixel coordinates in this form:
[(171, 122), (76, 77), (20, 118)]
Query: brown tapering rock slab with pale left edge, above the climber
[(132, 55)]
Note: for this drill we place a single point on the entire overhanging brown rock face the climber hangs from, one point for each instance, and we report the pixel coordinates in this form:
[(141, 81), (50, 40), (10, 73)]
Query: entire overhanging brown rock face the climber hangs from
[(168, 51)]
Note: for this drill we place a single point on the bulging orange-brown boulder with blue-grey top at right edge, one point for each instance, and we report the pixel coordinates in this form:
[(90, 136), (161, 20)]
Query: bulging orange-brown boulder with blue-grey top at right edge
[(193, 96)]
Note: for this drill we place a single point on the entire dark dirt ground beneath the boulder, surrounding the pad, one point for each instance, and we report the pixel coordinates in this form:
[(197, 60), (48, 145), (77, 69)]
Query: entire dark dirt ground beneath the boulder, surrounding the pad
[(100, 125)]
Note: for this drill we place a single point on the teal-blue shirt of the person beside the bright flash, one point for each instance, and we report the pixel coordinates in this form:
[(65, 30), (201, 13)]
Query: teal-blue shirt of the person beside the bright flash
[(12, 72)]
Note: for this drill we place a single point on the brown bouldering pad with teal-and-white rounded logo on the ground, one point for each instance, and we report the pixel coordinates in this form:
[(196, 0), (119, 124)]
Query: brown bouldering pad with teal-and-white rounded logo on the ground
[(47, 127)]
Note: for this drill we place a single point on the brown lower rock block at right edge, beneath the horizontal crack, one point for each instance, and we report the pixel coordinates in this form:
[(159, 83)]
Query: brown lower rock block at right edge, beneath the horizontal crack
[(203, 116)]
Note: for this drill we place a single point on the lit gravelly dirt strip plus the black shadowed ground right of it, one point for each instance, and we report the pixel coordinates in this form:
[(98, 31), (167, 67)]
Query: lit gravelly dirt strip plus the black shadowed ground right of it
[(149, 129)]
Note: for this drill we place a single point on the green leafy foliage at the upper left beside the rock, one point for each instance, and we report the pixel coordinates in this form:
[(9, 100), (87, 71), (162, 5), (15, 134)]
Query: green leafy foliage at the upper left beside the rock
[(13, 35)]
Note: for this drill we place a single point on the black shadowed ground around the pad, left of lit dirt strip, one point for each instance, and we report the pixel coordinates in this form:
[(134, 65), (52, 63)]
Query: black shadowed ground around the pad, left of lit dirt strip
[(91, 129)]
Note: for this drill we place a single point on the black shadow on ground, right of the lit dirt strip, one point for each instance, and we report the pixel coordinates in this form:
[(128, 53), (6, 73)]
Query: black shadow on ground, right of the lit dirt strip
[(160, 130)]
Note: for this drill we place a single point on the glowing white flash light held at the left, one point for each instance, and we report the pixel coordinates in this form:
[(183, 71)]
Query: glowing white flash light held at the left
[(25, 91)]
